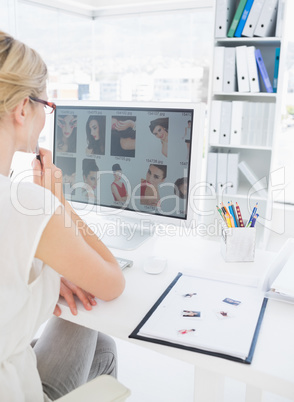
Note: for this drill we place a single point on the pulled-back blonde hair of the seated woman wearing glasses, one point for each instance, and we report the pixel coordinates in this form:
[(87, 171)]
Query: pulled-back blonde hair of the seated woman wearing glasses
[(23, 73)]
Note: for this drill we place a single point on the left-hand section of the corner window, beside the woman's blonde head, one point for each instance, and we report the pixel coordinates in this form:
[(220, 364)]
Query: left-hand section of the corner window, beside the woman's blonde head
[(65, 43)]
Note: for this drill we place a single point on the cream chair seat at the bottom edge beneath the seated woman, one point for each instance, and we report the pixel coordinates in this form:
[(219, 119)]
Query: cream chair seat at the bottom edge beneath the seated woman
[(104, 388)]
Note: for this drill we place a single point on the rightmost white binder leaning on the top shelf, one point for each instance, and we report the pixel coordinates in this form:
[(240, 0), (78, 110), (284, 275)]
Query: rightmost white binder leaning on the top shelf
[(266, 24)]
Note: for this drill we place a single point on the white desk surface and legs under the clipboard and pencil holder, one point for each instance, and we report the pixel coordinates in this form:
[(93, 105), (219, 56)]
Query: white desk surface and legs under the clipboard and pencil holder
[(272, 368)]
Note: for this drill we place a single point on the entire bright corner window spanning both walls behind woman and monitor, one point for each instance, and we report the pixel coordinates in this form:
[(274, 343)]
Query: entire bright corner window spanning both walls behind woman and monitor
[(139, 57)]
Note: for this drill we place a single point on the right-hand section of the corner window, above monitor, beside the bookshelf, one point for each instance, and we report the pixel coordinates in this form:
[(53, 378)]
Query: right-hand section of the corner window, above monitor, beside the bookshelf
[(155, 56)]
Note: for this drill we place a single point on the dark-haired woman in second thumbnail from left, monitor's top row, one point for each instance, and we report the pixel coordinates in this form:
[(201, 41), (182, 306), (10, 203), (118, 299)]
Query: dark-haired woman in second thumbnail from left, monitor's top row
[(95, 129)]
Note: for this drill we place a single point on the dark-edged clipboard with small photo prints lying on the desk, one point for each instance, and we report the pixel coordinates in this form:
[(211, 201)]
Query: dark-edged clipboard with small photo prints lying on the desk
[(168, 300)]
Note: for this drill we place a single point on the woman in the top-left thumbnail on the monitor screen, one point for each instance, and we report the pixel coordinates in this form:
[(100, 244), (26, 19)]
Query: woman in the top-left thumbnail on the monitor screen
[(67, 133)]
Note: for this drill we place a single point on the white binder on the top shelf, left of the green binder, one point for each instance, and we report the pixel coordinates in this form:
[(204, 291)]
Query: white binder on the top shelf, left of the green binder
[(225, 10)]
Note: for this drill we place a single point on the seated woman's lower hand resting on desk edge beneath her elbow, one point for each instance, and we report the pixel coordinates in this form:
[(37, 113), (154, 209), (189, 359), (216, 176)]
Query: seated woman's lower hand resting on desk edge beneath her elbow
[(68, 290)]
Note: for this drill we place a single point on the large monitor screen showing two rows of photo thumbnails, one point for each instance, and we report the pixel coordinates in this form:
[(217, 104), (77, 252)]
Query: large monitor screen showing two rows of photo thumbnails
[(134, 159)]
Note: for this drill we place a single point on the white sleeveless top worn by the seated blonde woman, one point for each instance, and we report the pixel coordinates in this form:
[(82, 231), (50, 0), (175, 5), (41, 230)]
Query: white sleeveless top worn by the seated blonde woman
[(29, 289)]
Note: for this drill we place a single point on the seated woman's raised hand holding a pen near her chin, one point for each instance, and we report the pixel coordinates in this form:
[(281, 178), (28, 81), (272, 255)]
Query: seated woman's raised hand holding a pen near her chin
[(47, 175)]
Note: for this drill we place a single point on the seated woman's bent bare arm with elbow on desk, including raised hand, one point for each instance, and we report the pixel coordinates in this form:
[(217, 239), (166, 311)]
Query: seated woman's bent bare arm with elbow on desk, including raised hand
[(71, 248)]
